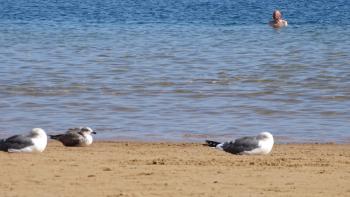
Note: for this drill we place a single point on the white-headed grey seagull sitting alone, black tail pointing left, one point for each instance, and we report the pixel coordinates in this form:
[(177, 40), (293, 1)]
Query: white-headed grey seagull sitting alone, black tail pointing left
[(254, 145)]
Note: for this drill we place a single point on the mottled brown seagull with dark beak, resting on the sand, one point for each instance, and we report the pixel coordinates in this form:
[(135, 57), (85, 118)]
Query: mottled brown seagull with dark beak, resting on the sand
[(75, 137)]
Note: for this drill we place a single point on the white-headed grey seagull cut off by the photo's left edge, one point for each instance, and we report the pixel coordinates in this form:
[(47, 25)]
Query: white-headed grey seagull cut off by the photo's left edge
[(35, 141)]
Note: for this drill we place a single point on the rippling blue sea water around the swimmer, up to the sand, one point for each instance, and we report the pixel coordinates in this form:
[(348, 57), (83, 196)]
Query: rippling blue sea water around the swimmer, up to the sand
[(177, 70)]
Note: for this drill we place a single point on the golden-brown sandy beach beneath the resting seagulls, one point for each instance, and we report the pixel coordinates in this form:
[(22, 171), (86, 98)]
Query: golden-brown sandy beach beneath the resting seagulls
[(176, 169)]
